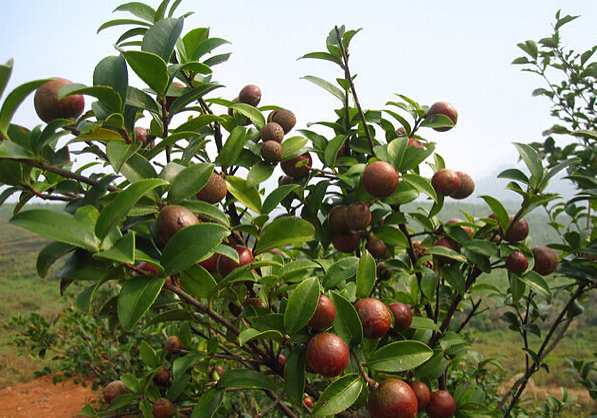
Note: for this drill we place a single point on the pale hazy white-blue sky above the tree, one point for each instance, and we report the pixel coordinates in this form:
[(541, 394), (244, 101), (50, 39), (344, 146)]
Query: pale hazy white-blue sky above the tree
[(458, 51)]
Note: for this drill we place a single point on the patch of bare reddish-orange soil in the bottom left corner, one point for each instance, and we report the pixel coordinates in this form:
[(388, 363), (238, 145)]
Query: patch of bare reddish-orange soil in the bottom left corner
[(41, 398)]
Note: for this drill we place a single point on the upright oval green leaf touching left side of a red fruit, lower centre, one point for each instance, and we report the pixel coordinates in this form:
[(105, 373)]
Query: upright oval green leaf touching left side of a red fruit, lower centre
[(302, 304)]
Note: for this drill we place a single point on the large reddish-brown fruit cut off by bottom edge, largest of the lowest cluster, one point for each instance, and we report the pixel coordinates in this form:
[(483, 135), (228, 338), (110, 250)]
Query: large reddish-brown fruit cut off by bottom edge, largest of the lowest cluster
[(393, 398)]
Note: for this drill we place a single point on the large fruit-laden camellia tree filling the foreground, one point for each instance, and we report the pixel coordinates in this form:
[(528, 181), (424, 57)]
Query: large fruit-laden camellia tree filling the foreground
[(321, 292)]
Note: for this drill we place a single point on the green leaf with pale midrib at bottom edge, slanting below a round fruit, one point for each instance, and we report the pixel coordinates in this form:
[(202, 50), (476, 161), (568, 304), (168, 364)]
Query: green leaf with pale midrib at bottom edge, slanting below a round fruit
[(339, 396)]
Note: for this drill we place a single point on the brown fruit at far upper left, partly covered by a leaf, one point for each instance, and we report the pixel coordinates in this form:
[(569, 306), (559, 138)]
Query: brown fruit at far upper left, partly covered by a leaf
[(48, 107)]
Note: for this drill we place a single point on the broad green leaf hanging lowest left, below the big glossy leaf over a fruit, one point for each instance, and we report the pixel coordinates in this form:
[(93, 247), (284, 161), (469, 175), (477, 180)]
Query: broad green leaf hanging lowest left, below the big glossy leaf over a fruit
[(136, 297)]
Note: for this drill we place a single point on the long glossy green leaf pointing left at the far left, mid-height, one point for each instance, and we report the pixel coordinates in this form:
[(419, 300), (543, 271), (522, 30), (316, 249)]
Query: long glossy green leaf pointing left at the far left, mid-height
[(57, 226)]
